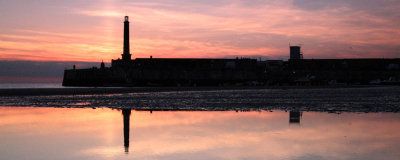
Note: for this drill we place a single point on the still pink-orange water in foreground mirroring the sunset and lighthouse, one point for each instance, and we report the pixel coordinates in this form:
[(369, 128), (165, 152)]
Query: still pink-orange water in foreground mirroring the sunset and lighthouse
[(84, 133)]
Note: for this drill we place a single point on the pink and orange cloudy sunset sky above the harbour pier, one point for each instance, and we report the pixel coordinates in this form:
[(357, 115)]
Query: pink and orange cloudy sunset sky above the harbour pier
[(91, 31)]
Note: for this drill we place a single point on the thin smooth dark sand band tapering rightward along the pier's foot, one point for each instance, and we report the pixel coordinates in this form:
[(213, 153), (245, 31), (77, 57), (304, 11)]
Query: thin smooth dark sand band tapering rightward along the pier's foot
[(94, 90)]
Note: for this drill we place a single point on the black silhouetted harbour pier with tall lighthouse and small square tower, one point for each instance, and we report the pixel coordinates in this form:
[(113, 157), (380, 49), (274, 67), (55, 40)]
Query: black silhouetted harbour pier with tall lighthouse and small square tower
[(233, 72)]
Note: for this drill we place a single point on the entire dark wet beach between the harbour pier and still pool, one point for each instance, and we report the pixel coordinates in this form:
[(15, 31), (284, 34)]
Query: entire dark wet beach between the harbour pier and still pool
[(322, 99)]
